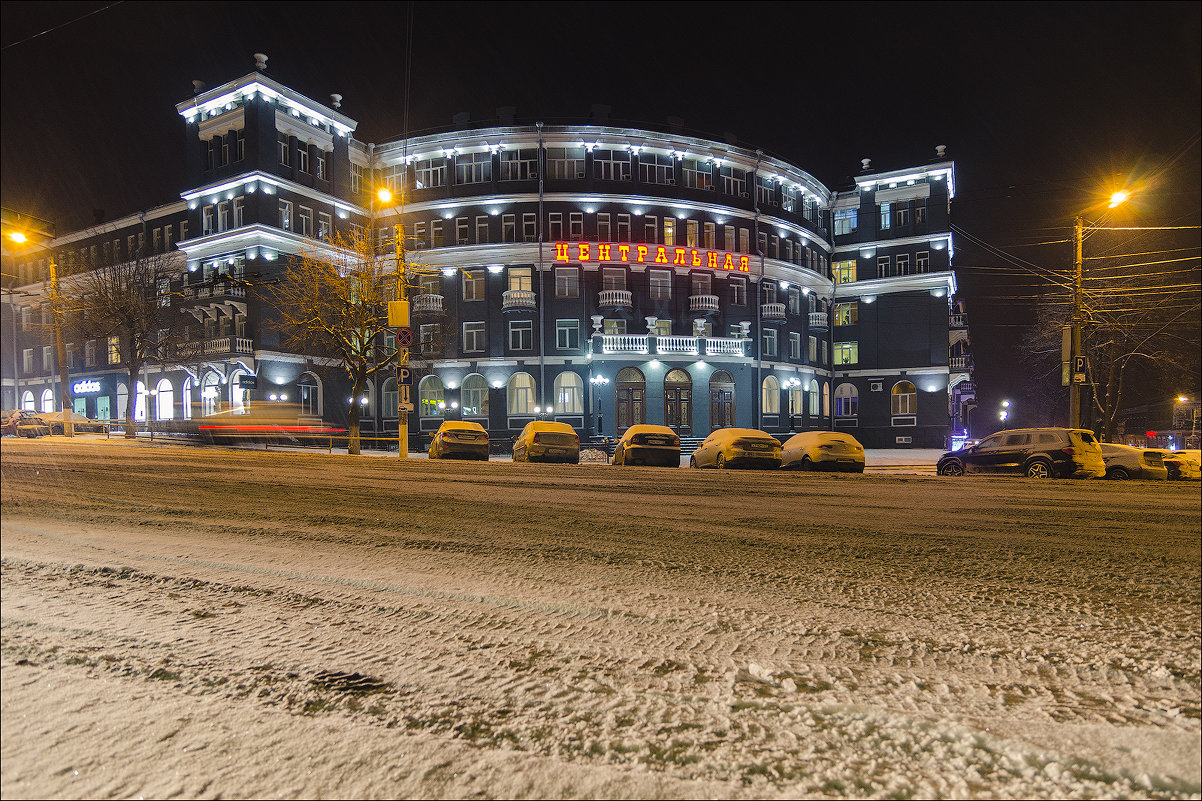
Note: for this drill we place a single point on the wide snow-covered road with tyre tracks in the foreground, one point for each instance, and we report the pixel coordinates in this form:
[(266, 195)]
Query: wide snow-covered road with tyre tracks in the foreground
[(242, 624)]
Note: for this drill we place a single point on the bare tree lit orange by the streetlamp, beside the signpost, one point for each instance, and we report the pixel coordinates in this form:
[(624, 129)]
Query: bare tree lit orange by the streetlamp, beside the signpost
[(334, 304)]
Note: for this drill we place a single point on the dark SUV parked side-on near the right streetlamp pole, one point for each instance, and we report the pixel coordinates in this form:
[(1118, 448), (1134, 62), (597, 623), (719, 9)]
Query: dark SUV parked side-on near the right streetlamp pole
[(1034, 453)]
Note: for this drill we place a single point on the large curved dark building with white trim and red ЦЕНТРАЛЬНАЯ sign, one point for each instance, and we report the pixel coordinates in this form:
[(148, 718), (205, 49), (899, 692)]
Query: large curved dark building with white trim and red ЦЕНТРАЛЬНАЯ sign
[(594, 275)]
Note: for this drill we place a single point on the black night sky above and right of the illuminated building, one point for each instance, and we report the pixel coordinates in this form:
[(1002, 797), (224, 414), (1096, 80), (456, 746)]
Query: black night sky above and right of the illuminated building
[(1043, 106)]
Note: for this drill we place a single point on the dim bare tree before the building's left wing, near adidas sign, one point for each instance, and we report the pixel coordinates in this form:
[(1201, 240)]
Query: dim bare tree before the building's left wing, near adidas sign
[(133, 301)]
